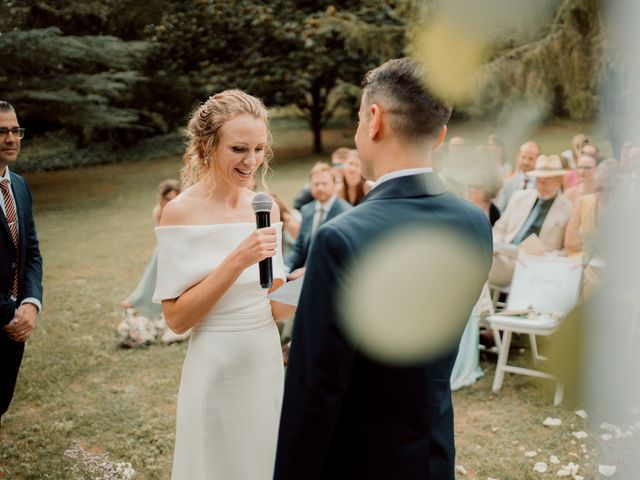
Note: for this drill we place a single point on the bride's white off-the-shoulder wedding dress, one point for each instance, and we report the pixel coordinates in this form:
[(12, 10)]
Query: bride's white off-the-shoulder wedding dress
[(232, 378)]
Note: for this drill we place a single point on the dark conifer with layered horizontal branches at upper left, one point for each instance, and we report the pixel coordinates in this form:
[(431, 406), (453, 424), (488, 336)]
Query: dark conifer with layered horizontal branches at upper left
[(85, 84)]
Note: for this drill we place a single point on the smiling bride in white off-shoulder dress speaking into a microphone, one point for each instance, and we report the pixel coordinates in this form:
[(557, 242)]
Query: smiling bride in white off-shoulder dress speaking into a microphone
[(208, 249)]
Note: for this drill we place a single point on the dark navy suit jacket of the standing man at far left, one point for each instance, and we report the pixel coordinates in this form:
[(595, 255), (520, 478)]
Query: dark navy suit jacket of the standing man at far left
[(29, 262)]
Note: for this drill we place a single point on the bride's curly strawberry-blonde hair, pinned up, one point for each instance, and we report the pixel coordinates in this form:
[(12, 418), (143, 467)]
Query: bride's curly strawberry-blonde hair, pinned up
[(203, 132)]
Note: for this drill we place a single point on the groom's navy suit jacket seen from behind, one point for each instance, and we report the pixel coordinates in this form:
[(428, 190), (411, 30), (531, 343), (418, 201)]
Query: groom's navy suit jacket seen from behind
[(346, 415)]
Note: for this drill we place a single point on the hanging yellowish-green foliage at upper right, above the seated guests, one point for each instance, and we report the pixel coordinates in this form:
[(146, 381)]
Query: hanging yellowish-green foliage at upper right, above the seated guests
[(563, 66)]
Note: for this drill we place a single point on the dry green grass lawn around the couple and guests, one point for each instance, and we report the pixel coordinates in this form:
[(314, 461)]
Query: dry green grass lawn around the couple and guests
[(77, 387)]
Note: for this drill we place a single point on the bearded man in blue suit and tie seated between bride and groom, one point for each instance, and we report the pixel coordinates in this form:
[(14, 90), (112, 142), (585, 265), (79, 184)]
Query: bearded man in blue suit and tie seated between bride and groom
[(326, 206)]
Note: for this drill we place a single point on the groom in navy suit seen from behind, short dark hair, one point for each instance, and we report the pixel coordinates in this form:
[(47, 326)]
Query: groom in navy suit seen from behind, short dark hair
[(346, 415)]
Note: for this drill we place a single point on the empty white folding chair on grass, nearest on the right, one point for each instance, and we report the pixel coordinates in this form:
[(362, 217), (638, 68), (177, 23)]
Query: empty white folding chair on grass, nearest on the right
[(546, 285)]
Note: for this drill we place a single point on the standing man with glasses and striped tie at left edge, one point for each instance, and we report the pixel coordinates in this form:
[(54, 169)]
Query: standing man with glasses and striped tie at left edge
[(20, 260)]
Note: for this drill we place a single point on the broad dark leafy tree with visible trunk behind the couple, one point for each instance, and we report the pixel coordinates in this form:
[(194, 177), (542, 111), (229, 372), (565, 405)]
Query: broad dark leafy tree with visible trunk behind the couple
[(287, 52)]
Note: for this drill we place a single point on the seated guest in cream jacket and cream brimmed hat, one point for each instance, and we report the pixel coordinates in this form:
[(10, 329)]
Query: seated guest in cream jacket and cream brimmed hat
[(543, 212)]
